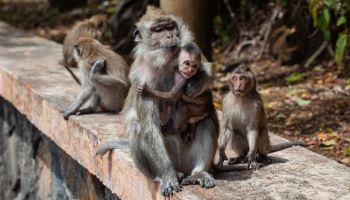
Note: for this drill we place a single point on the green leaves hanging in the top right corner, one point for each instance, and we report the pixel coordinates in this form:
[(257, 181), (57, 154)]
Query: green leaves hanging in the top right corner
[(330, 16)]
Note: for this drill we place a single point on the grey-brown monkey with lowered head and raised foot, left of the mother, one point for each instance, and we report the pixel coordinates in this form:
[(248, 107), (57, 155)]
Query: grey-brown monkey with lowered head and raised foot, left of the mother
[(104, 78)]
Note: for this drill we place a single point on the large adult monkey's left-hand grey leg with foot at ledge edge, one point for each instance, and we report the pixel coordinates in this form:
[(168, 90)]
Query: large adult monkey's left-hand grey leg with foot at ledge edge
[(149, 152)]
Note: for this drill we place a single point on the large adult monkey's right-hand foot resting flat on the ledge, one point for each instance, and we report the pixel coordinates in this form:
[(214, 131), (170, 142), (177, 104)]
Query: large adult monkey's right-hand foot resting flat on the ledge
[(203, 179)]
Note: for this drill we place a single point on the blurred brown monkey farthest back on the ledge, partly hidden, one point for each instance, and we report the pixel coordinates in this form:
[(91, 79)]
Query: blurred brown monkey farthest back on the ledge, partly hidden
[(93, 27)]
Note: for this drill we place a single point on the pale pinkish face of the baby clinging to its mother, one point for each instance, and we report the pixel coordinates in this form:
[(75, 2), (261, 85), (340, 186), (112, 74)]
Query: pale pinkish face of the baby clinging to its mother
[(188, 64)]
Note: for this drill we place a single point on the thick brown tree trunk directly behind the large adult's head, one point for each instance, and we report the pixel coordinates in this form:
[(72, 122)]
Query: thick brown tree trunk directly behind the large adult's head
[(197, 15)]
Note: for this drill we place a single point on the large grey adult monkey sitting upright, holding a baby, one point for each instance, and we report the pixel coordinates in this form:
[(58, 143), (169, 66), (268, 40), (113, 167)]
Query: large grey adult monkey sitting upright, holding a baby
[(159, 155)]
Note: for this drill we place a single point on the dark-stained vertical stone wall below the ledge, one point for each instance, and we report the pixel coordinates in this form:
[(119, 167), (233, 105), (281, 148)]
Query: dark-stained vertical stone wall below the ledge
[(34, 167)]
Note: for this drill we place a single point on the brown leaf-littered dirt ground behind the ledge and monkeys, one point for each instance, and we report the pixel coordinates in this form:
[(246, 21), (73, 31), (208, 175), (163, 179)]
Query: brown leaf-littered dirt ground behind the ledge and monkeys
[(301, 104)]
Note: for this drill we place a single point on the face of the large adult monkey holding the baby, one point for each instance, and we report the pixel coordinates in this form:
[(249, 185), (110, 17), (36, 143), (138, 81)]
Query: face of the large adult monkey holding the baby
[(164, 34)]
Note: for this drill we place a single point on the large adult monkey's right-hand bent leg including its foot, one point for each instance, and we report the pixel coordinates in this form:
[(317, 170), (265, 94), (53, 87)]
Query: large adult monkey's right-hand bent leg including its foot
[(200, 155)]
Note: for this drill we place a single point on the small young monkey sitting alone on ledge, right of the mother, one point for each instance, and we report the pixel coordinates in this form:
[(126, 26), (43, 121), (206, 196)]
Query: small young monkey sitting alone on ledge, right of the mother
[(244, 120)]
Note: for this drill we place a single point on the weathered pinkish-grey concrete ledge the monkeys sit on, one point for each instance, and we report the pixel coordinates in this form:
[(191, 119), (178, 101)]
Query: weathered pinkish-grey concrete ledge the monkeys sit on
[(38, 87)]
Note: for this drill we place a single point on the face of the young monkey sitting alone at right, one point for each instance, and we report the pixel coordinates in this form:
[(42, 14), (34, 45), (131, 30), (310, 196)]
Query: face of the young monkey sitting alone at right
[(241, 84)]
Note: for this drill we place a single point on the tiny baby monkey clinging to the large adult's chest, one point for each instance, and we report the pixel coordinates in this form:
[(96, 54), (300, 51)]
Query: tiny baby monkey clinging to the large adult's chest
[(190, 110)]
